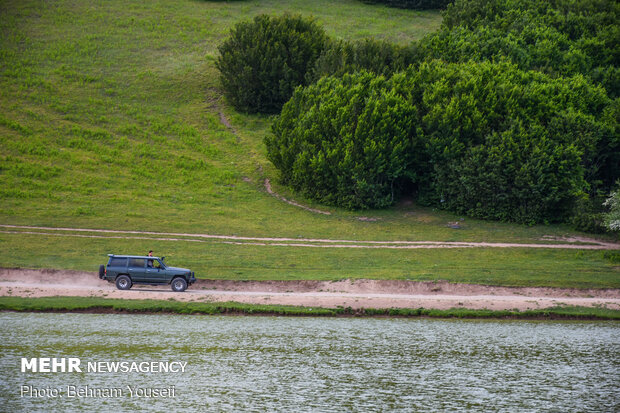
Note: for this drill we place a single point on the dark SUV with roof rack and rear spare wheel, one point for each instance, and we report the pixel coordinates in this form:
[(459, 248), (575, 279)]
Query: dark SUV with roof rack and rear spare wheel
[(127, 270)]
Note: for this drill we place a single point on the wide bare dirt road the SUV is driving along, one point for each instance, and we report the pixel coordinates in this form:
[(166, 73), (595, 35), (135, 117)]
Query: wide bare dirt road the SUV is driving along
[(347, 293)]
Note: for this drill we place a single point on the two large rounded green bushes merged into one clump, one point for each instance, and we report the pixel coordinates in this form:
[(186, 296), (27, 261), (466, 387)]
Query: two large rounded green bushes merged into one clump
[(484, 139)]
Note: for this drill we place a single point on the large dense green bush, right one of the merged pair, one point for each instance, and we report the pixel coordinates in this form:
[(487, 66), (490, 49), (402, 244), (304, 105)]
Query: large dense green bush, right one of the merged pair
[(504, 143)]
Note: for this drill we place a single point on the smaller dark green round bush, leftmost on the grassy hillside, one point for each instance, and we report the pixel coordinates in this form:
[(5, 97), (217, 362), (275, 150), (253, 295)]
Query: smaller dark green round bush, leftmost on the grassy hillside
[(263, 61)]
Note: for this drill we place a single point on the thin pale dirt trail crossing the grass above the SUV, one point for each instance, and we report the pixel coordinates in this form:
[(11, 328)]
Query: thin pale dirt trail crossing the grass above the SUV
[(550, 242)]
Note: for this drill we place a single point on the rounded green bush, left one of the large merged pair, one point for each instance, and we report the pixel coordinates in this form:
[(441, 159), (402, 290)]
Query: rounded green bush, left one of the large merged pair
[(345, 141)]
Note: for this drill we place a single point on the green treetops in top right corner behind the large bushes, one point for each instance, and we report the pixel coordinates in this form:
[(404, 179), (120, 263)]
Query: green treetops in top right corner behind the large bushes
[(559, 37)]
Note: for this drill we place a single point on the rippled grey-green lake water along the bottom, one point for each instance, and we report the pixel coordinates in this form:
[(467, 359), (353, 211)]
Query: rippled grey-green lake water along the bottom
[(314, 364)]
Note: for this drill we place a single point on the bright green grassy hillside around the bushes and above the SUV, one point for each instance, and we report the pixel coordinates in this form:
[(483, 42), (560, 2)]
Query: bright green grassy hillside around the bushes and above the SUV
[(110, 117)]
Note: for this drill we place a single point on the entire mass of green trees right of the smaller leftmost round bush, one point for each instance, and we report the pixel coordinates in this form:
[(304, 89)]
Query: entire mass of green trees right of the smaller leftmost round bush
[(509, 112)]
